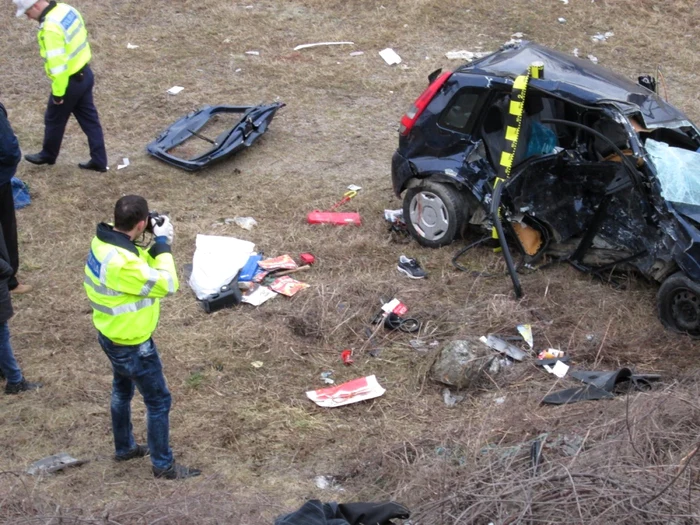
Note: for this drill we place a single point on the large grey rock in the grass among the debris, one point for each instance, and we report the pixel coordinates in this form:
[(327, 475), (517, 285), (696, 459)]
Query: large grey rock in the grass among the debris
[(463, 364)]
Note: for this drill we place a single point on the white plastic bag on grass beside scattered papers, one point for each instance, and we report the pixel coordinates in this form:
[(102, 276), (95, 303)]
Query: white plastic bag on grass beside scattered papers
[(216, 262)]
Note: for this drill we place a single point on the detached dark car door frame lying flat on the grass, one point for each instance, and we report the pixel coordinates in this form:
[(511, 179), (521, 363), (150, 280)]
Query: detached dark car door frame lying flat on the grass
[(253, 123)]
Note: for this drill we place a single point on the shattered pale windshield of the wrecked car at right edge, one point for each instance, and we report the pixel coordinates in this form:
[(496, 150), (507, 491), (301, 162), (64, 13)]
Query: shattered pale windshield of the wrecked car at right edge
[(673, 167)]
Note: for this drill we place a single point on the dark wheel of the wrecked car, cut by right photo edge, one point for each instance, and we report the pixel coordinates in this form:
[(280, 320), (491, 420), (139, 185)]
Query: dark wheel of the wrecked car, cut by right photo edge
[(678, 304)]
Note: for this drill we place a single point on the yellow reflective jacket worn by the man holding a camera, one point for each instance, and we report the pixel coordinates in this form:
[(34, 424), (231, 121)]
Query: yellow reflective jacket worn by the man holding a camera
[(124, 284)]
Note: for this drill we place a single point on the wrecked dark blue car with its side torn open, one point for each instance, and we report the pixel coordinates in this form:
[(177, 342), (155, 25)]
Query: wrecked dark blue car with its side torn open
[(600, 171)]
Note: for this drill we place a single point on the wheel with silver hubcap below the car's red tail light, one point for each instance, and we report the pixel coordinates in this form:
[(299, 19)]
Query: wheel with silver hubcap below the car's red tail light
[(434, 213)]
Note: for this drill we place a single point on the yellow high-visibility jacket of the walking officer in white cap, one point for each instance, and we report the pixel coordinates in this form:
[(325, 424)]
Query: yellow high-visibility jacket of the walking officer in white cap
[(63, 45)]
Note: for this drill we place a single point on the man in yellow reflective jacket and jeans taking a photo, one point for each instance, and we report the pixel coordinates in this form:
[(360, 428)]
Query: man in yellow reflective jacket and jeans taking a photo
[(124, 283)]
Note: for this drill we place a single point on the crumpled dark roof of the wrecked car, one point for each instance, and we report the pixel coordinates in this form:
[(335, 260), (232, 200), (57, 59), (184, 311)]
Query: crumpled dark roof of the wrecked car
[(578, 80)]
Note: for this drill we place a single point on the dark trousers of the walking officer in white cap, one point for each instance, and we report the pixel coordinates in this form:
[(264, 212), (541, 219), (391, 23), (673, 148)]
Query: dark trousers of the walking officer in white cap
[(77, 101)]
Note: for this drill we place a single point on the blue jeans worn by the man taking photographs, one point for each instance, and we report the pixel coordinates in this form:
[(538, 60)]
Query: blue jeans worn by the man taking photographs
[(139, 366)]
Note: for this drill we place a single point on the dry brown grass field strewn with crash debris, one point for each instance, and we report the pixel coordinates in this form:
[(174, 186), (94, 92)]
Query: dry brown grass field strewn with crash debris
[(258, 440)]
